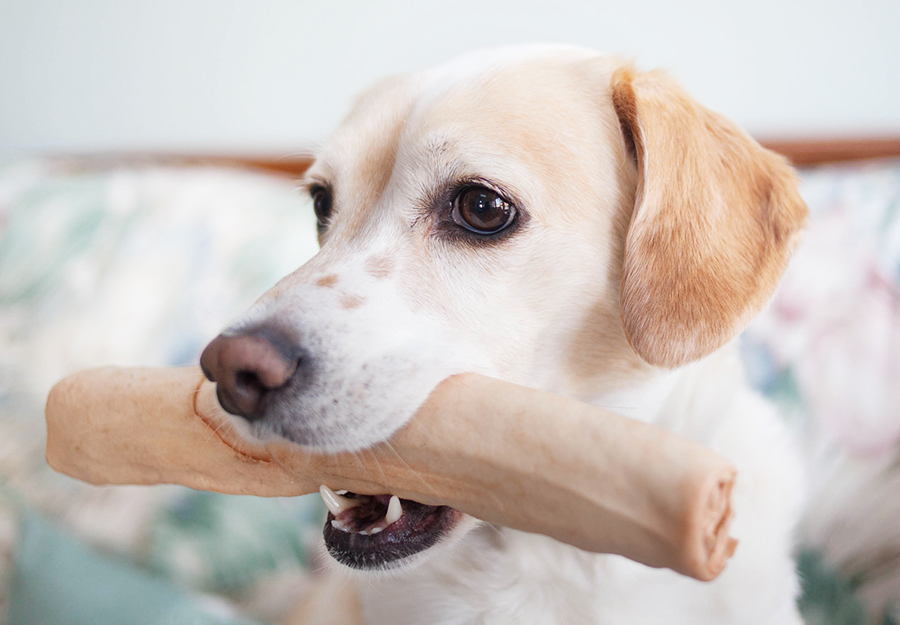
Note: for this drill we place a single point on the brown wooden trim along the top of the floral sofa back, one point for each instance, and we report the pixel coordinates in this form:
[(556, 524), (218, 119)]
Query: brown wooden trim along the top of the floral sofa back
[(798, 151)]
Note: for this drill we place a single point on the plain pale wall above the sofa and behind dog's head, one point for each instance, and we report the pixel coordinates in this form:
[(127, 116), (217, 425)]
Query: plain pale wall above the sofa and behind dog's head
[(89, 75)]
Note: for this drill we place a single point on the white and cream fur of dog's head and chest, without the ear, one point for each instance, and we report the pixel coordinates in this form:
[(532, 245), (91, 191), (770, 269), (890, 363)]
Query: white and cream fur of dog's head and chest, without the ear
[(519, 311)]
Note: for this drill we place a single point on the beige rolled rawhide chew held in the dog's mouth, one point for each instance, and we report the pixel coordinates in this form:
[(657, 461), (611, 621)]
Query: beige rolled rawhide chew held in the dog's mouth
[(513, 456)]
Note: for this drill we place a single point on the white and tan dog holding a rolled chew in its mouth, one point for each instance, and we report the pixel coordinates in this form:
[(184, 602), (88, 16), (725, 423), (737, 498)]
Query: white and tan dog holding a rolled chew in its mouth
[(552, 217)]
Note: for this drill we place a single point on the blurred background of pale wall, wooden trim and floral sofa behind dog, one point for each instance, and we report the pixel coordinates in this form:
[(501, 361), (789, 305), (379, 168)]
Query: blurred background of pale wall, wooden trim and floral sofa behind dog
[(148, 161)]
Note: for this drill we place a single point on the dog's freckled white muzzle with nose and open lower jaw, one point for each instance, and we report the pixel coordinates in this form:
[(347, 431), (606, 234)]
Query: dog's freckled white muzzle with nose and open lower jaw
[(337, 362)]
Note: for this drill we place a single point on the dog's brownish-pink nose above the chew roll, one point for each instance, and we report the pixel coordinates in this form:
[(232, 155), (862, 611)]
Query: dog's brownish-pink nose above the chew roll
[(247, 366)]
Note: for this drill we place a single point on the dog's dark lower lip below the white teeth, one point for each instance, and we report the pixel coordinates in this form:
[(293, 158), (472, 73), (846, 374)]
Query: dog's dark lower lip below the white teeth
[(420, 528)]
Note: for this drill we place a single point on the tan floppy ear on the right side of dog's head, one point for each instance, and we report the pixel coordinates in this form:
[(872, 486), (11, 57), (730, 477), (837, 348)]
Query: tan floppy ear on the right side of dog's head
[(716, 217)]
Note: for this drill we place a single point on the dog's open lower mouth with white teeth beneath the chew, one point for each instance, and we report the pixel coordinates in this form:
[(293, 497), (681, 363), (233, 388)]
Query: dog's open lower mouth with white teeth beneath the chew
[(378, 531)]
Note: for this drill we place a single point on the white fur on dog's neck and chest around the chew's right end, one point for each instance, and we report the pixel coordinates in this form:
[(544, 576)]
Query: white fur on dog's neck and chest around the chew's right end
[(501, 576)]
